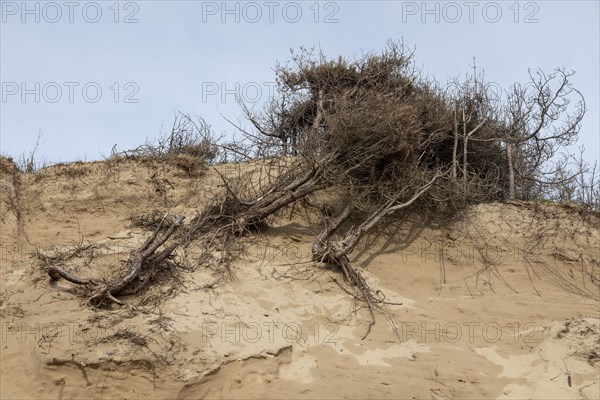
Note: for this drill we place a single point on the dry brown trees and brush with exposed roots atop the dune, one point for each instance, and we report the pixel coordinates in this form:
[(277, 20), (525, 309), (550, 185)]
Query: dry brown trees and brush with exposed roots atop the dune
[(383, 141)]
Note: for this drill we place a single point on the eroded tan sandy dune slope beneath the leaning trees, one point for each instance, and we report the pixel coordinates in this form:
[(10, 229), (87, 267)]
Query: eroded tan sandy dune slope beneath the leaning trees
[(500, 303)]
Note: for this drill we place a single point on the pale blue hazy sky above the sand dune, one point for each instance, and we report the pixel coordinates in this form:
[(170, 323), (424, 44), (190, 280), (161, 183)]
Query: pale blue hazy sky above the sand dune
[(91, 75)]
